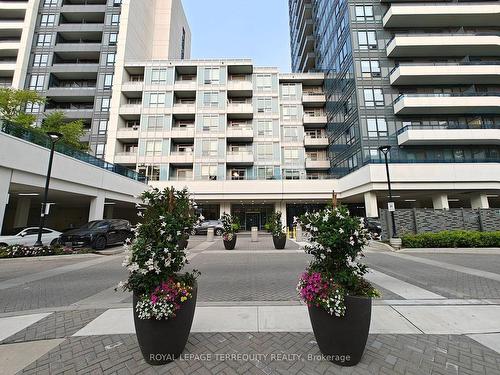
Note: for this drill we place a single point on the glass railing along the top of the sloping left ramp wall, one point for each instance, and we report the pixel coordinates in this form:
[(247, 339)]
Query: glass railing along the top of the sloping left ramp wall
[(40, 139)]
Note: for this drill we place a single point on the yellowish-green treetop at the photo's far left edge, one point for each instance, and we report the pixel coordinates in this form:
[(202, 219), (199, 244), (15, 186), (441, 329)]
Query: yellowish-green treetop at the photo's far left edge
[(13, 105)]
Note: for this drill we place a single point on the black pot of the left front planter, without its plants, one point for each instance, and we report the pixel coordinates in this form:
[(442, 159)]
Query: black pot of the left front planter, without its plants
[(162, 341)]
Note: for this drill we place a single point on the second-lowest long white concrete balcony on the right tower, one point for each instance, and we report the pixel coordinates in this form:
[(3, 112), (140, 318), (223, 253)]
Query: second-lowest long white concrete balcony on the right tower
[(423, 104)]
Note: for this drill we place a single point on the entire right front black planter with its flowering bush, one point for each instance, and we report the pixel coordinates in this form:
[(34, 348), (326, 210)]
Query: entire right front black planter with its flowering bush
[(333, 287)]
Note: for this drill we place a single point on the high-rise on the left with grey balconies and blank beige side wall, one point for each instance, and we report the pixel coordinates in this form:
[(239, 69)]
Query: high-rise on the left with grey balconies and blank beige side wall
[(69, 50)]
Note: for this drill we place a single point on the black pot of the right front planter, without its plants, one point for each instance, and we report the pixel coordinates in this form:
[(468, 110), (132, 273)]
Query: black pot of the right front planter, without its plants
[(343, 340)]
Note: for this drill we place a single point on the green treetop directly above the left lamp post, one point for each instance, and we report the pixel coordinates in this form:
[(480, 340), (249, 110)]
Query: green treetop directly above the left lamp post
[(71, 131)]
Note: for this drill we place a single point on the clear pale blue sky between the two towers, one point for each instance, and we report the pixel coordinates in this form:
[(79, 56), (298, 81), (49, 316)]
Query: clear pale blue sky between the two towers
[(256, 29)]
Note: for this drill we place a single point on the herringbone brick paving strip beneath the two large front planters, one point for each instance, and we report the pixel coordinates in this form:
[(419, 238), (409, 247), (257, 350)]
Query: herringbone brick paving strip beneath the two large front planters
[(271, 353)]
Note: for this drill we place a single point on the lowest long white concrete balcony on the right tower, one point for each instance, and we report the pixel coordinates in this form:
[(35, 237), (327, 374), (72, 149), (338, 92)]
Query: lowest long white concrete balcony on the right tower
[(435, 135)]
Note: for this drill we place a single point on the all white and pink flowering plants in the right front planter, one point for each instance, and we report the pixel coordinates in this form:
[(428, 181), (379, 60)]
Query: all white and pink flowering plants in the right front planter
[(336, 240)]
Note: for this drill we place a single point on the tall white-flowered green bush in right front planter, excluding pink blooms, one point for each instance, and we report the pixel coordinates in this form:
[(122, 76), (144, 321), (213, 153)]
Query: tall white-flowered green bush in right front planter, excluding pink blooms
[(336, 241)]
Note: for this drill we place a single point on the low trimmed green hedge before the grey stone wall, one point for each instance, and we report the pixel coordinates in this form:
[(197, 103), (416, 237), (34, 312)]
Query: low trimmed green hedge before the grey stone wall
[(460, 238)]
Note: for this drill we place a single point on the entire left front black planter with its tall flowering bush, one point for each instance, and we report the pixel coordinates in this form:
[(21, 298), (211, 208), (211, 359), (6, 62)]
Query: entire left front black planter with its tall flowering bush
[(164, 299)]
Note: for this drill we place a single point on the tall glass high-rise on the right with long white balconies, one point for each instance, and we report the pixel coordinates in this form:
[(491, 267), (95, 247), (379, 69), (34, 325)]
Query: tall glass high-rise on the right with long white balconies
[(423, 77)]
